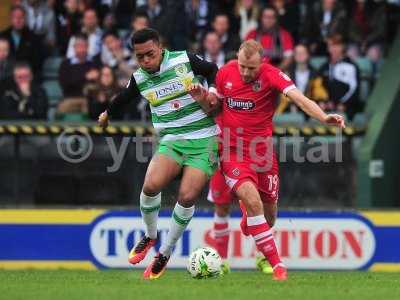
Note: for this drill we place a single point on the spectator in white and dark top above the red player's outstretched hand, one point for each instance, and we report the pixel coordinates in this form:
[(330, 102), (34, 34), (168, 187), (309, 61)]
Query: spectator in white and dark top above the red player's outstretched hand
[(341, 77)]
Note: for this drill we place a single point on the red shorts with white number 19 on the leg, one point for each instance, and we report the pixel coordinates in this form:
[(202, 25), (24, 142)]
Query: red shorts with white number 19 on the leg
[(266, 179)]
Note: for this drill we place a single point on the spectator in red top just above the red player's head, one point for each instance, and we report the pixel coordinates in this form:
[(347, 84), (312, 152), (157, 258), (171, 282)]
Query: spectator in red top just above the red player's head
[(276, 41)]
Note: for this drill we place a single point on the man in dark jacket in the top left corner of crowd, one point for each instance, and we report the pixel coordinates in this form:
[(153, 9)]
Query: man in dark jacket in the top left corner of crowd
[(24, 45)]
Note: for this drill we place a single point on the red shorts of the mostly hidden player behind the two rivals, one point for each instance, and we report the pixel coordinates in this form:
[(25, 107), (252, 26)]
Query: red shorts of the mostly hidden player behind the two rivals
[(219, 192)]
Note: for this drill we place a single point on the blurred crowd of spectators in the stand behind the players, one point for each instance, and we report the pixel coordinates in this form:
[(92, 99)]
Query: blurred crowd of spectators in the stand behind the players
[(322, 45)]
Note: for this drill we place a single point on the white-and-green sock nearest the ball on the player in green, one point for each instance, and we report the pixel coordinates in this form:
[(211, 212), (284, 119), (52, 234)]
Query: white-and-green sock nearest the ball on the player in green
[(181, 217)]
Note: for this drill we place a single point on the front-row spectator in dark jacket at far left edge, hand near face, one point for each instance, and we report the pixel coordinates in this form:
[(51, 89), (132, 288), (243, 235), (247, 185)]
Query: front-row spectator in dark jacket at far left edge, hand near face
[(23, 99)]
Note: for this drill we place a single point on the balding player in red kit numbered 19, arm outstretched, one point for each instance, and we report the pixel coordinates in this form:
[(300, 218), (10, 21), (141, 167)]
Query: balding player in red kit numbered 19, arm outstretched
[(247, 89)]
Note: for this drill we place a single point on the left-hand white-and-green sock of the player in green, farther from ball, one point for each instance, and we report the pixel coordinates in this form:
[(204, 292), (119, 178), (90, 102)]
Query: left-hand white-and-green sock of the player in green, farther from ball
[(149, 208)]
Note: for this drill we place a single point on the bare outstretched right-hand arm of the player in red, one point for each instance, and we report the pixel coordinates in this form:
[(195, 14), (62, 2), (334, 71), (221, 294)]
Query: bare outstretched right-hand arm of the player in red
[(314, 111)]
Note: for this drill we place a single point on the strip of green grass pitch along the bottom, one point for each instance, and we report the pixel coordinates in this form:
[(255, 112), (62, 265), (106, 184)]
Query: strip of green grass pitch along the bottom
[(82, 285)]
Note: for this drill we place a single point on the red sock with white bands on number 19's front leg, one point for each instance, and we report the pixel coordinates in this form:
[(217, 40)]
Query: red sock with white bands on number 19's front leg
[(262, 234)]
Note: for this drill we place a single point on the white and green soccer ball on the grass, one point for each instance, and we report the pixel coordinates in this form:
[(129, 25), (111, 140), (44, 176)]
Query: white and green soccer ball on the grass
[(204, 262)]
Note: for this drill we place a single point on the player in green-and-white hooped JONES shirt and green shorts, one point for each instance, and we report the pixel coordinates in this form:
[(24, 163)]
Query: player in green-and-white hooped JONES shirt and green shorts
[(188, 144)]
